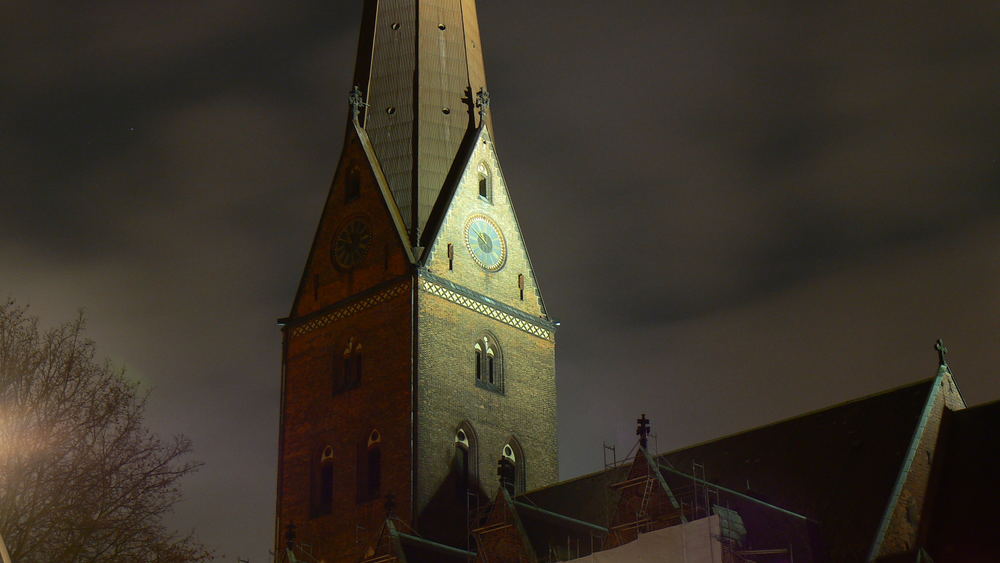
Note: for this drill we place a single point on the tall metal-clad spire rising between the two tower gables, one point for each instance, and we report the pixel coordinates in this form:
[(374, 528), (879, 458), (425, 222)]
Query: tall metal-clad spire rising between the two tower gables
[(420, 67)]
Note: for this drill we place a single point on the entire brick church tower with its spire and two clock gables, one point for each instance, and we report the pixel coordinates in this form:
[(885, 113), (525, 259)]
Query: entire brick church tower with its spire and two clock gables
[(418, 360)]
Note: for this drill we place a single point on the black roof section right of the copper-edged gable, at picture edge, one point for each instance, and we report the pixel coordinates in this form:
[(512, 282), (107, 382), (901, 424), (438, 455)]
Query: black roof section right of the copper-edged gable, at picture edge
[(965, 508)]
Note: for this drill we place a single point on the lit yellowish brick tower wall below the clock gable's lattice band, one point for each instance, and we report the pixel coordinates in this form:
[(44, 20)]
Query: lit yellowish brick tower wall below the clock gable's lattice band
[(449, 395)]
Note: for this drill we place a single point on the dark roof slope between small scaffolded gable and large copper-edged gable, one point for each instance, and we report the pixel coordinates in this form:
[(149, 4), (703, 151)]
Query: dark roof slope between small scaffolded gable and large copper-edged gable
[(837, 466)]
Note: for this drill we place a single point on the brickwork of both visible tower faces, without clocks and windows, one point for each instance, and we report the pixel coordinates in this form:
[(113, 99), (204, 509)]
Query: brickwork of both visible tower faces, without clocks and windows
[(373, 304)]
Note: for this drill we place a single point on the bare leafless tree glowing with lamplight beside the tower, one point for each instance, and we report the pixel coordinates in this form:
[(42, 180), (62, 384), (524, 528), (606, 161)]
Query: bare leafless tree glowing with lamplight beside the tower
[(81, 478)]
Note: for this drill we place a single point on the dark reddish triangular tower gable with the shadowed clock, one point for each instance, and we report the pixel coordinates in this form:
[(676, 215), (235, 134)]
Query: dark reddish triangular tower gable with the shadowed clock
[(358, 193)]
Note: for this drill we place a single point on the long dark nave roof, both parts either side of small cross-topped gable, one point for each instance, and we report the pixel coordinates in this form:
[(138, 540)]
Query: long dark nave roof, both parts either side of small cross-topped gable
[(828, 475)]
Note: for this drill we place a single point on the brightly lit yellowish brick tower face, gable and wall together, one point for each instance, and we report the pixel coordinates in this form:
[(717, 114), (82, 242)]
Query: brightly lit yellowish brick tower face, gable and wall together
[(450, 319)]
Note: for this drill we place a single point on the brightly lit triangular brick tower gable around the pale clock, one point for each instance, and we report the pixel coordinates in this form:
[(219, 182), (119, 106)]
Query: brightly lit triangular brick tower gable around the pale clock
[(513, 283)]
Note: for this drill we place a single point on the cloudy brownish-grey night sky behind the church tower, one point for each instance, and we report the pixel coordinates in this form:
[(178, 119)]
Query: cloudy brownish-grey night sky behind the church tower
[(738, 213)]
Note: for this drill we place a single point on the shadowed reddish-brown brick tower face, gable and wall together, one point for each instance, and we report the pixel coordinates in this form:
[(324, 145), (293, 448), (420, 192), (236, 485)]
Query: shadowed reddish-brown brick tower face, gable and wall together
[(371, 304)]
